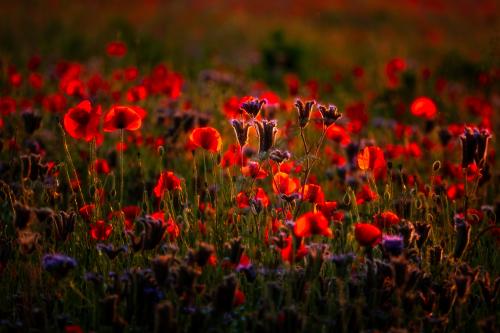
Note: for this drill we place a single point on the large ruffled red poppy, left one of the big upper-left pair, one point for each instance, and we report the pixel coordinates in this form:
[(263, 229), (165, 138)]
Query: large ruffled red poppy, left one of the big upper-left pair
[(82, 121)]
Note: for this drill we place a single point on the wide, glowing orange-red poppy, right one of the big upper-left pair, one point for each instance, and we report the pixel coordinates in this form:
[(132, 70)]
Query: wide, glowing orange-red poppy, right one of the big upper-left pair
[(122, 117)]
